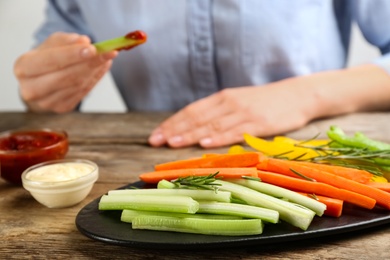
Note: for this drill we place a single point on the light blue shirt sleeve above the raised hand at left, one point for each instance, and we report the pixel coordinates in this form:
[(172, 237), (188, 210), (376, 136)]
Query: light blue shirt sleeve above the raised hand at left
[(64, 16)]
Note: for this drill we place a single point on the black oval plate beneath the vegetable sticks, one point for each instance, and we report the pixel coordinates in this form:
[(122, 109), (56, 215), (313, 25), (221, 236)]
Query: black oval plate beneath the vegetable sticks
[(106, 226)]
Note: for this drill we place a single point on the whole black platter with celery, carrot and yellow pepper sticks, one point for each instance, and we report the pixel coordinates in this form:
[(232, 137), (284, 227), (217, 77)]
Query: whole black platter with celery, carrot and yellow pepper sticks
[(256, 181)]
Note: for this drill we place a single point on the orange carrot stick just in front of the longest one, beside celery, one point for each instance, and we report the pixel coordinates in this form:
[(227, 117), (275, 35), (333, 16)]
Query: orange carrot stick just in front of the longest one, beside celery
[(319, 188)]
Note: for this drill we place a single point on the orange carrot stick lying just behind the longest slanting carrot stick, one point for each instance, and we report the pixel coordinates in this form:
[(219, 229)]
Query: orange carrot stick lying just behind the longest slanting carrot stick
[(349, 173)]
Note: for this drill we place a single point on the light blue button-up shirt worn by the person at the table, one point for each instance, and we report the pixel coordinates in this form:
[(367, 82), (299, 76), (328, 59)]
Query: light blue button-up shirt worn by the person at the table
[(197, 47)]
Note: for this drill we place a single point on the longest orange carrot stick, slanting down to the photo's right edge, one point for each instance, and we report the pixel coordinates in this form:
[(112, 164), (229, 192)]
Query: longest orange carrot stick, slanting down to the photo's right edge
[(288, 167)]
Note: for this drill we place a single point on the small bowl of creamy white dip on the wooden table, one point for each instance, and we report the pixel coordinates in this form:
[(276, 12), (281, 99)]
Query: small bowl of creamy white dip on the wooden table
[(60, 183)]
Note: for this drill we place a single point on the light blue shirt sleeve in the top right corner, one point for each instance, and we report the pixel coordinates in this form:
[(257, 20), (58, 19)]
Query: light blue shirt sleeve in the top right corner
[(373, 19)]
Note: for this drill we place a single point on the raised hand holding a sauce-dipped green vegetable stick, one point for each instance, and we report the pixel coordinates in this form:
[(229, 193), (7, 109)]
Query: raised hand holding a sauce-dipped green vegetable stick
[(58, 74)]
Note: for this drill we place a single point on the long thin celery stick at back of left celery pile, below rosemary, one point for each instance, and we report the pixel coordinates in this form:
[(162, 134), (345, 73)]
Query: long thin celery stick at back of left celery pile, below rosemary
[(222, 196)]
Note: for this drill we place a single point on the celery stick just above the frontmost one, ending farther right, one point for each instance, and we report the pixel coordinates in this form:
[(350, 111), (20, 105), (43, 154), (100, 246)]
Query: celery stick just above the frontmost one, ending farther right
[(246, 211)]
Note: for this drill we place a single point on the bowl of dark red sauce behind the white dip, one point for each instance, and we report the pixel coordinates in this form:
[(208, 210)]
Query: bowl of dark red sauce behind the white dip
[(20, 149)]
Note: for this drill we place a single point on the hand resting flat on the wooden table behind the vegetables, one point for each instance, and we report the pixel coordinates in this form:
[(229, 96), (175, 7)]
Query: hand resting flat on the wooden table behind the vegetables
[(222, 118)]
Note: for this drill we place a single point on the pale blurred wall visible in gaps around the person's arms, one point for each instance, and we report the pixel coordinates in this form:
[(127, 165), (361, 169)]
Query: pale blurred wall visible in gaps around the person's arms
[(20, 18)]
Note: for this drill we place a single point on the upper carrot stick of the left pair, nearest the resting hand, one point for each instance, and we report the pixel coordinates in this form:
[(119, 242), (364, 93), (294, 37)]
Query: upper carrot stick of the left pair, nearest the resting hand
[(222, 160)]
